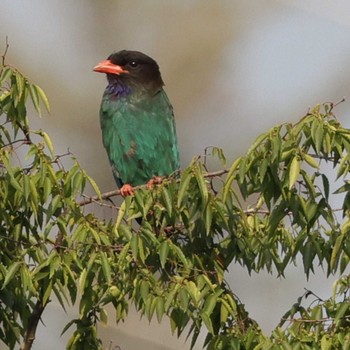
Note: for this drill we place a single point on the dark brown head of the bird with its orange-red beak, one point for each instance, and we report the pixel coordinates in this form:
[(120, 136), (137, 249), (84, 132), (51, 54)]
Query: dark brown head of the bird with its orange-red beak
[(131, 68)]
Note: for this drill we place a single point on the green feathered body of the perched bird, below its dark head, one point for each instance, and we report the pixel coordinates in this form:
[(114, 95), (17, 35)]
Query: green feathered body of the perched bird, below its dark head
[(140, 137)]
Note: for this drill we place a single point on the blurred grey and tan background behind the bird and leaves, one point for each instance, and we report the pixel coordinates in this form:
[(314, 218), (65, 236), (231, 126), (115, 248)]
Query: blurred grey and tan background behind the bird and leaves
[(232, 69)]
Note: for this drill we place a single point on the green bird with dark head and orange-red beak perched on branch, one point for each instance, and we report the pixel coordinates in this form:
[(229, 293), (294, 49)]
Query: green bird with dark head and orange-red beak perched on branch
[(137, 121)]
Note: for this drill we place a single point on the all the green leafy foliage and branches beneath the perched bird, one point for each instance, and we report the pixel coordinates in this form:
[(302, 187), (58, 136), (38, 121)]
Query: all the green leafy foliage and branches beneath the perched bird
[(271, 206)]
